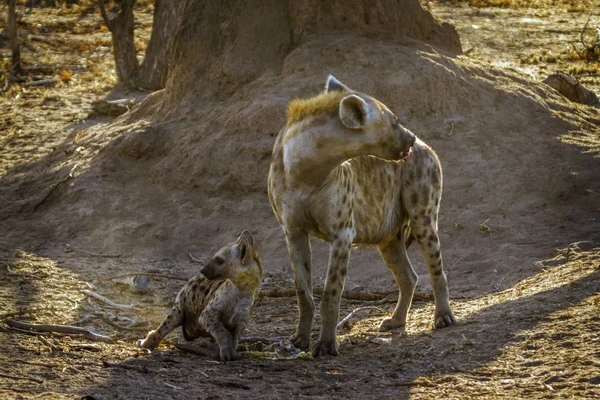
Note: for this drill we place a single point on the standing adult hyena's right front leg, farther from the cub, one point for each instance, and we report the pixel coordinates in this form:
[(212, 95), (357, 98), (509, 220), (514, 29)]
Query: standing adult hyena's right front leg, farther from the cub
[(339, 255)]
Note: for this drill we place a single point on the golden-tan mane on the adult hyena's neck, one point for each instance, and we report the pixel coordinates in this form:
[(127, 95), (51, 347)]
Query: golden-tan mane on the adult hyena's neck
[(325, 103)]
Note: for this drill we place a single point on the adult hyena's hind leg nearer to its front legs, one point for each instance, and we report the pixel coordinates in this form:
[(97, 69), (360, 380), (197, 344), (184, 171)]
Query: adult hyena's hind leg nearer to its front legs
[(395, 257)]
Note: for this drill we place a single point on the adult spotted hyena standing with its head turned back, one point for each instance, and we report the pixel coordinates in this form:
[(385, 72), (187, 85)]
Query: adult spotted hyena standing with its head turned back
[(345, 170)]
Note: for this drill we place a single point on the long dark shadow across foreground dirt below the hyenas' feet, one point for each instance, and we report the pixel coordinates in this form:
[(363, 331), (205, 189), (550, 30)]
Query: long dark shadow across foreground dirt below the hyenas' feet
[(363, 370)]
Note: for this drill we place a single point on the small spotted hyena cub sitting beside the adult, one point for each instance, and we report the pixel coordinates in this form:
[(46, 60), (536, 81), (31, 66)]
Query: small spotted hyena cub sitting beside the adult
[(218, 301)]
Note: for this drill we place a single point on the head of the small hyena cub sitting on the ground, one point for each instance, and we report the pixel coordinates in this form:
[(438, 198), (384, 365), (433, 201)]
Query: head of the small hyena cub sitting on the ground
[(238, 261)]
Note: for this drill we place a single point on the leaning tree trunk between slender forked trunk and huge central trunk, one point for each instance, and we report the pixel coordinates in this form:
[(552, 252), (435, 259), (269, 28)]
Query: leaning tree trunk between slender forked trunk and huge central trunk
[(152, 74)]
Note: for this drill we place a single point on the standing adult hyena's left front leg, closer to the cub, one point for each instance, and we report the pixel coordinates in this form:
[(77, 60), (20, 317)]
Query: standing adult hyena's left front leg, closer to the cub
[(300, 255)]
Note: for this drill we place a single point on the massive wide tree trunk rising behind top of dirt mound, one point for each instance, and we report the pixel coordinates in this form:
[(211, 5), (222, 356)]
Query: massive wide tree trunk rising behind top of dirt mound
[(220, 46)]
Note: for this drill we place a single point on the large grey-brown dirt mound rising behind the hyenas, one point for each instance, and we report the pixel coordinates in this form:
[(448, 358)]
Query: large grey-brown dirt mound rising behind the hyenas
[(187, 170)]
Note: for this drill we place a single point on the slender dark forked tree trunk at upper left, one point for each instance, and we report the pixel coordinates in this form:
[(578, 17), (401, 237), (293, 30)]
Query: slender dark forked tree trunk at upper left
[(121, 29)]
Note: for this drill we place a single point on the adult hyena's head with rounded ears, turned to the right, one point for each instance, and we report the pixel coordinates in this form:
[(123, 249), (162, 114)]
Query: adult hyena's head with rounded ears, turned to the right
[(367, 116)]
